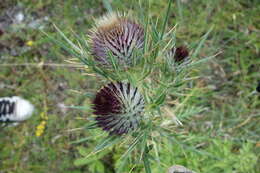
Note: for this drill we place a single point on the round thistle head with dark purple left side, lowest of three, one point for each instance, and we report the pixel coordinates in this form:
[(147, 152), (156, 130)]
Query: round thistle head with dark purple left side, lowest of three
[(118, 107)]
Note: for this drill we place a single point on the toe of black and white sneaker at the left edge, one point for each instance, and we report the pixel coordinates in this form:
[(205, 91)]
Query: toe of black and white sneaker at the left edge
[(15, 109)]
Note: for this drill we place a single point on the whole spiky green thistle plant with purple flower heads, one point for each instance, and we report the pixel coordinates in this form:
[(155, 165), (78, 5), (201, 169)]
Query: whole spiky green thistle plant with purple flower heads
[(140, 72)]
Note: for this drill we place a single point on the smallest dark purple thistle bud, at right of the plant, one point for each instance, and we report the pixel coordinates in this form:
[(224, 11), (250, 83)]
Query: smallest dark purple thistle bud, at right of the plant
[(180, 53)]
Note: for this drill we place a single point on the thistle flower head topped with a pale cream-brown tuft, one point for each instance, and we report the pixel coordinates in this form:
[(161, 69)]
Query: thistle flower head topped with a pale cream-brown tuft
[(118, 36)]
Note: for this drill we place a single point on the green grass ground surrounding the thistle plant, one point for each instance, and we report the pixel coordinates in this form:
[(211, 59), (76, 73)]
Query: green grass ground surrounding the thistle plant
[(223, 137)]
